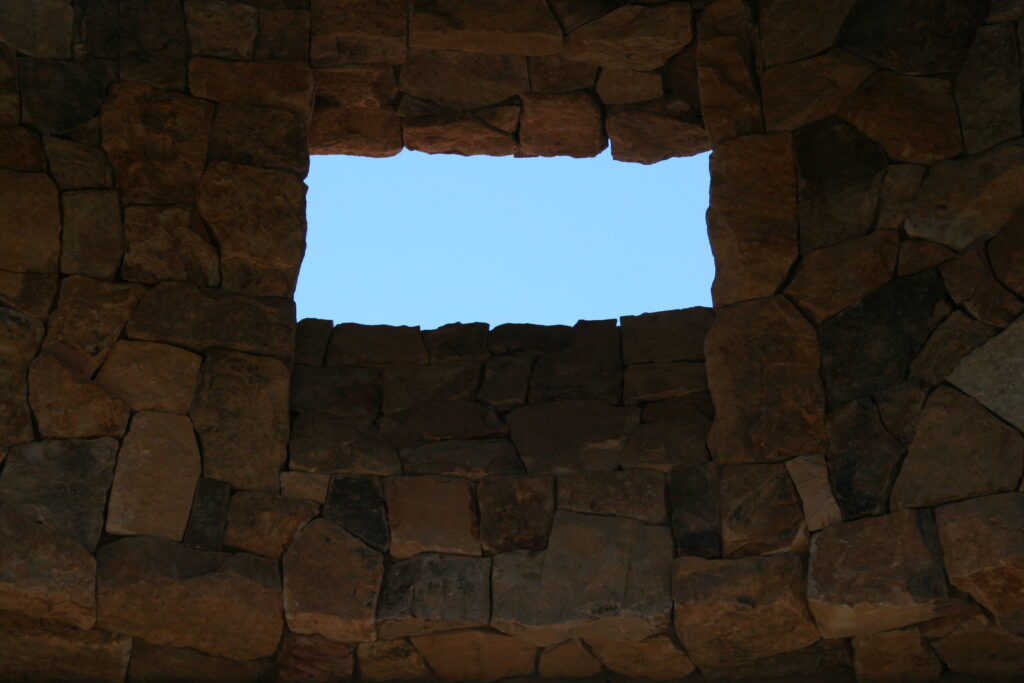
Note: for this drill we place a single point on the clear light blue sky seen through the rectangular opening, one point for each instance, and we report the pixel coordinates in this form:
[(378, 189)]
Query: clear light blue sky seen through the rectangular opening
[(433, 239)]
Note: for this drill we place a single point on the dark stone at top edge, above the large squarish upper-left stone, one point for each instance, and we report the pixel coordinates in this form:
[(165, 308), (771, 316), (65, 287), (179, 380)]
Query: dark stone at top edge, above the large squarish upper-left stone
[(153, 42)]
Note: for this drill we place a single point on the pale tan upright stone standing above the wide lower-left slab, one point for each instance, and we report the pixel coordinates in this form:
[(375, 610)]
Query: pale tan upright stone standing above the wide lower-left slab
[(155, 482)]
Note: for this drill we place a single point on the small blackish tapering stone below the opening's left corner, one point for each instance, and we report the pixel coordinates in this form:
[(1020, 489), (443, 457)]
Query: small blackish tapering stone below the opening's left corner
[(357, 504)]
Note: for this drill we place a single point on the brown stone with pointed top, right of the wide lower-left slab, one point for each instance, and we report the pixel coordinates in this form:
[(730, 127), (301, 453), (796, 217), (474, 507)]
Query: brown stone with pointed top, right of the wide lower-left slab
[(331, 584)]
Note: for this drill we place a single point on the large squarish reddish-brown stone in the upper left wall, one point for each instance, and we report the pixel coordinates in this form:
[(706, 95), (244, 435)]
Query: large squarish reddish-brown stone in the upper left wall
[(157, 142)]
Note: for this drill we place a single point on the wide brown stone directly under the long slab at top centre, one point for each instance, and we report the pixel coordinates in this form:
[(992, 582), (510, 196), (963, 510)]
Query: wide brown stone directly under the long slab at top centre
[(463, 80)]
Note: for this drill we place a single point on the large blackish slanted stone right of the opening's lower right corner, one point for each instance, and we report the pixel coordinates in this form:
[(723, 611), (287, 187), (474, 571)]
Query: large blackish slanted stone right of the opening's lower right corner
[(870, 347)]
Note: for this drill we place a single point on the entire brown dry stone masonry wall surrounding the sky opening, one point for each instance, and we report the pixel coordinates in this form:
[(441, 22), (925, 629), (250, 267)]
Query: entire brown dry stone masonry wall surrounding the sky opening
[(820, 480)]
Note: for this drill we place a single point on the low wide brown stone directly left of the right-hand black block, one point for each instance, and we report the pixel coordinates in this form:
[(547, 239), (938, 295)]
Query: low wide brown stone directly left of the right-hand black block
[(634, 494)]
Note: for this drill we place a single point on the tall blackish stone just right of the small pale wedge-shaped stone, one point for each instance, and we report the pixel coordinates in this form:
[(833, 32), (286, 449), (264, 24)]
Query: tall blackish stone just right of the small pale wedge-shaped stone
[(863, 459)]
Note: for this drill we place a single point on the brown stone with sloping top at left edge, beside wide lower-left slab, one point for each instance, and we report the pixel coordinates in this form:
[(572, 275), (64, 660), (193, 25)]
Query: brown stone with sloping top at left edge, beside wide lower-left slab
[(45, 574)]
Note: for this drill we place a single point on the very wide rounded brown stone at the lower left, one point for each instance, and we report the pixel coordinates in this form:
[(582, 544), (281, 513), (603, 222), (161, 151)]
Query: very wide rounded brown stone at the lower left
[(226, 606)]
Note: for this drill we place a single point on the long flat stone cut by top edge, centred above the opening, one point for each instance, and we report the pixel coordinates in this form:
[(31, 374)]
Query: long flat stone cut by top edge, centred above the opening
[(508, 28)]
